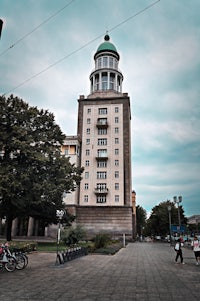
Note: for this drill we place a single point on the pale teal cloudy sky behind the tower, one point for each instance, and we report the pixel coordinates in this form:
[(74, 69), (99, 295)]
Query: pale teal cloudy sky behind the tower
[(46, 56)]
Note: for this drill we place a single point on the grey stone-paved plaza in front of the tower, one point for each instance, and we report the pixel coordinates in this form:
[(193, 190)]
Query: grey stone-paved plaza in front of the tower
[(141, 271)]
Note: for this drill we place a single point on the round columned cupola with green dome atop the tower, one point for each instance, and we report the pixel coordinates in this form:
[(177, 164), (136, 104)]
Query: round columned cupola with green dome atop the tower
[(106, 77)]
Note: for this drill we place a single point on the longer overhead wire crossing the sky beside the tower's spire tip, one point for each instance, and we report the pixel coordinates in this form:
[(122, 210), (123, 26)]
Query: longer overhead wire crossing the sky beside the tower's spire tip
[(83, 46)]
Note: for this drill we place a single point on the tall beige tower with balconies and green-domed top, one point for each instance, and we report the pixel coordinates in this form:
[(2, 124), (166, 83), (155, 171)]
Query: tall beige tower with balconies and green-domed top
[(105, 196)]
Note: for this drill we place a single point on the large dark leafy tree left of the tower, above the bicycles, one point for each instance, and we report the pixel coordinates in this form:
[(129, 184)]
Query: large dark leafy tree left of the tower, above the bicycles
[(33, 173)]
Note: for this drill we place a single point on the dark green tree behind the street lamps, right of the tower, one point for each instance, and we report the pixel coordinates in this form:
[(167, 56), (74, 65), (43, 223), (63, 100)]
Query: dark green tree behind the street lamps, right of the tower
[(158, 222)]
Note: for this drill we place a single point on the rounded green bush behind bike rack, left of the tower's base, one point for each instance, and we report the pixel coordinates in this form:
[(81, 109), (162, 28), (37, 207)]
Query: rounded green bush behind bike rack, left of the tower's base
[(73, 235)]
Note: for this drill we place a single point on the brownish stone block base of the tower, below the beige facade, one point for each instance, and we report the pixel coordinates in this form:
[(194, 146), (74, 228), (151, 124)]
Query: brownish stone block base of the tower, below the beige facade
[(115, 220)]
